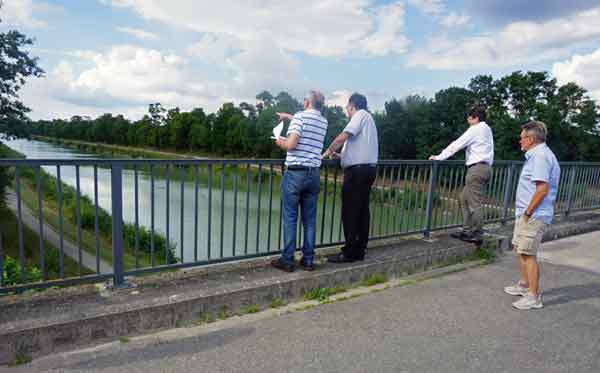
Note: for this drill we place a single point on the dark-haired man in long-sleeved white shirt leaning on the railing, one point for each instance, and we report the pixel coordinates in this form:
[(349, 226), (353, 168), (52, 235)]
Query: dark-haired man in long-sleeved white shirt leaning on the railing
[(479, 141)]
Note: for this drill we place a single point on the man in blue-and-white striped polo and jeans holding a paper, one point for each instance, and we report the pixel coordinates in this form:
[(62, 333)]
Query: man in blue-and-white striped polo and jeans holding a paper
[(301, 183)]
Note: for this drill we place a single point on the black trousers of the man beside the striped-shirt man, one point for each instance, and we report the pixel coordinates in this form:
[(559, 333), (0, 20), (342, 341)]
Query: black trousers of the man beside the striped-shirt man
[(355, 209)]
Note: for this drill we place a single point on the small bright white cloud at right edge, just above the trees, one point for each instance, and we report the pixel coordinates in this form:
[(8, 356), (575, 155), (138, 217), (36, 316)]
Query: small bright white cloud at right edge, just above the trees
[(581, 69)]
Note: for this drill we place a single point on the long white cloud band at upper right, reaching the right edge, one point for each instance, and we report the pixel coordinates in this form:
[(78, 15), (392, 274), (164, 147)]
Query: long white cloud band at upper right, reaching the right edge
[(518, 43)]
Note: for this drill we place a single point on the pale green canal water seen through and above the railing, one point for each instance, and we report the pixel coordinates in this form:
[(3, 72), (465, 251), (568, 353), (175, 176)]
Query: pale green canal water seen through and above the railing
[(245, 227)]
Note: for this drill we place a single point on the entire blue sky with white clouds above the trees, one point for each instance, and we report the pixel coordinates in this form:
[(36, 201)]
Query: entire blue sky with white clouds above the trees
[(118, 56)]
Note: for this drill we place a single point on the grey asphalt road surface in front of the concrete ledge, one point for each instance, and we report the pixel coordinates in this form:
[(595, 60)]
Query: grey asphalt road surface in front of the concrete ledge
[(457, 323)]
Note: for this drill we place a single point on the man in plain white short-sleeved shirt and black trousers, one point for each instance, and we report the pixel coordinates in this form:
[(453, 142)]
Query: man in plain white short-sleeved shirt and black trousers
[(359, 161)]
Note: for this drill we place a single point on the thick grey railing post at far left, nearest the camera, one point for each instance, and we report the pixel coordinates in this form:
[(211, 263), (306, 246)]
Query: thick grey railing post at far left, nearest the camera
[(117, 224)]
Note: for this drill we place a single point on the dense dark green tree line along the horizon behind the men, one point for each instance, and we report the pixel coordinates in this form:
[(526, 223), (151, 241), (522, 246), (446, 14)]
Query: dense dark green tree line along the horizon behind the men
[(410, 128)]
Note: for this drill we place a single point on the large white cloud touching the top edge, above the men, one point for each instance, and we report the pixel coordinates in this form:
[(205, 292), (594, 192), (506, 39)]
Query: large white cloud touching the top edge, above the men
[(318, 27)]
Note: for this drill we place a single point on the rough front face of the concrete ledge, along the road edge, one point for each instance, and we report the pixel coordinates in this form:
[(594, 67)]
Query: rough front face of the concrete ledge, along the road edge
[(172, 312)]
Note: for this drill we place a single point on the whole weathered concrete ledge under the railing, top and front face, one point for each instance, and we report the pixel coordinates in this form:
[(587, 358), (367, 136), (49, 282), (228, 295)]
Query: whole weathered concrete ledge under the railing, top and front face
[(53, 322)]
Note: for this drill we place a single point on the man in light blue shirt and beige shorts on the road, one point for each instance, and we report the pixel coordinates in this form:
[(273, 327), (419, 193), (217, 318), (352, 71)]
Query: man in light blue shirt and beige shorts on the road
[(536, 193)]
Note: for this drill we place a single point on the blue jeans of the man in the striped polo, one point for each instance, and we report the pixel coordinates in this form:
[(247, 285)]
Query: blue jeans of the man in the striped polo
[(300, 188)]
